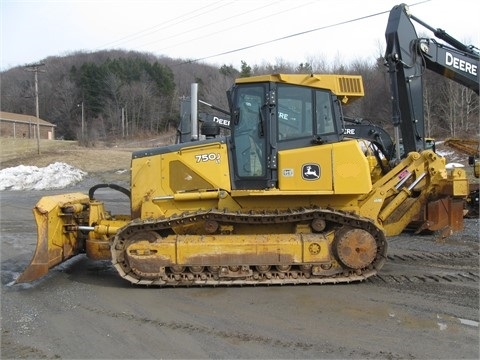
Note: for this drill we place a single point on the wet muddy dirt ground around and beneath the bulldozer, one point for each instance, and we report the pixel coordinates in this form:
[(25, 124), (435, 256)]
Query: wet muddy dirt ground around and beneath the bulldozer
[(424, 304)]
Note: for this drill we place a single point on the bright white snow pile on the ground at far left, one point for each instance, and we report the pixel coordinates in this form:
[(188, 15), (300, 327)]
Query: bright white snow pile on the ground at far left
[(55, 176)]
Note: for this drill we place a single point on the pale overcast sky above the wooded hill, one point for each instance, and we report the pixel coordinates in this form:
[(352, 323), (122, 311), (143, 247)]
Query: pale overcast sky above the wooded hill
[(219, 32)]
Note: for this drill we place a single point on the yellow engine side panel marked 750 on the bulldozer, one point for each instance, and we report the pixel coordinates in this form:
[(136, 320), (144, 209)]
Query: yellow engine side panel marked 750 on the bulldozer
[(200, 169)]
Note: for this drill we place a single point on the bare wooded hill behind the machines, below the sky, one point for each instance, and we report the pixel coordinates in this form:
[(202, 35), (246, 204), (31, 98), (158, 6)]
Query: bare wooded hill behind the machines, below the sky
[(143, 91)]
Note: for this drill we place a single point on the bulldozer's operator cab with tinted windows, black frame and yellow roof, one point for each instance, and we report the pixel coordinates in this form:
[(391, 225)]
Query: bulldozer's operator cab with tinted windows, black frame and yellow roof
[(272, 113)]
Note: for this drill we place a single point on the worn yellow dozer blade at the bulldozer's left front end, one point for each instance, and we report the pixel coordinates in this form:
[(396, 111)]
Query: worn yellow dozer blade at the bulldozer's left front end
[(56, 242)]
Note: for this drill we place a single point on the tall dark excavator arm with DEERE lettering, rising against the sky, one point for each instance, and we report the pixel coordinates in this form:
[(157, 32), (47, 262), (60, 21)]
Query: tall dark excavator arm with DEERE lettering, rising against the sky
[(407, 56)]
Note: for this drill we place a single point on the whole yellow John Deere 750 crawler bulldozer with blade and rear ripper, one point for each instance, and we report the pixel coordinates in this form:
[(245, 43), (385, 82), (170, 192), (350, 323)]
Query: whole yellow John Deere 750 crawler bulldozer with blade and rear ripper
[(288, 196)]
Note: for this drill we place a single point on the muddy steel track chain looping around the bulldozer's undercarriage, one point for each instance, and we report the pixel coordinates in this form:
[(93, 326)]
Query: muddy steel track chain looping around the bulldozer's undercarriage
[(340, 218)]
